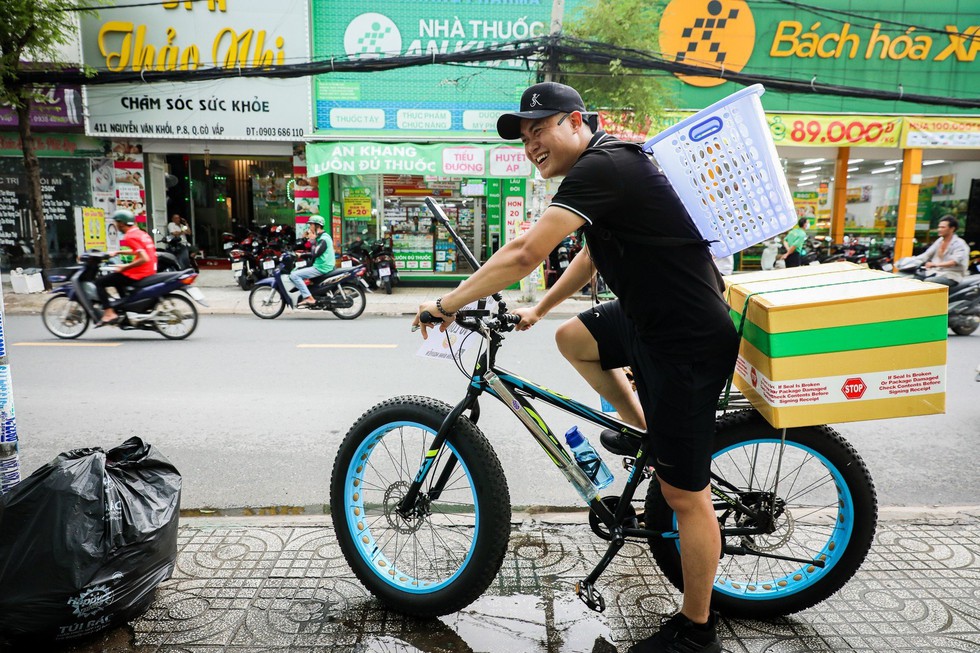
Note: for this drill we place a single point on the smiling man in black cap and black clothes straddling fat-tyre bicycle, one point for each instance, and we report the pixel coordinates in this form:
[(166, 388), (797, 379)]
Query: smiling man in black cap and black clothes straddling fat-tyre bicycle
[(681, 345)]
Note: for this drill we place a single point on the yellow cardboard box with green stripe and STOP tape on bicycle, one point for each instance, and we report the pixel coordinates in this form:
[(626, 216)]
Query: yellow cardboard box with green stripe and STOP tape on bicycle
[(839, 344)]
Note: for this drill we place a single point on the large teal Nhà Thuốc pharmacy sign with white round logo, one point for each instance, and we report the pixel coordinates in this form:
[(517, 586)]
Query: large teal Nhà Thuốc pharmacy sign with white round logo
[(420, 103)]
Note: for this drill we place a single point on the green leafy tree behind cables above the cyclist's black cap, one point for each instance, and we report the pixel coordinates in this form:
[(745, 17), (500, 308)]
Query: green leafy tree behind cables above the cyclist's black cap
[(639, 96)]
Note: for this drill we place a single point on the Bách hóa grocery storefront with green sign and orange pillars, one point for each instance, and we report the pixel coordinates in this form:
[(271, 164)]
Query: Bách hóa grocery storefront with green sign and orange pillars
[(879, 170)]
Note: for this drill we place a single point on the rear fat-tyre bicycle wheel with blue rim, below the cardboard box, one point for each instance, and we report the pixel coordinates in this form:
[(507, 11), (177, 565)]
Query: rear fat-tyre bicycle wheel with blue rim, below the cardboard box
[(825, 507)]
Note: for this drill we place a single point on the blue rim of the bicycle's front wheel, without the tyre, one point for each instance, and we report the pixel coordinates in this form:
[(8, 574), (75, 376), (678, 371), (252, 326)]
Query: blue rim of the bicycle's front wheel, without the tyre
[(359, 520)]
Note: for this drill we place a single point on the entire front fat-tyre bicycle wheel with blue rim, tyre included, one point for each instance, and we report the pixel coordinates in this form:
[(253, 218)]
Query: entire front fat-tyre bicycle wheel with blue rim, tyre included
[(446, 551)]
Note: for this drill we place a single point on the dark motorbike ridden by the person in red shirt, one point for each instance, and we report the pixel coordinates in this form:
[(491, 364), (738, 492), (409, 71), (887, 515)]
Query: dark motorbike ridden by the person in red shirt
[(156, 303)]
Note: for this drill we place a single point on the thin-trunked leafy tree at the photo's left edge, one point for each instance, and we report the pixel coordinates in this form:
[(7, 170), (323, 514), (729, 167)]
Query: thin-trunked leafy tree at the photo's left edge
[(33, 31)]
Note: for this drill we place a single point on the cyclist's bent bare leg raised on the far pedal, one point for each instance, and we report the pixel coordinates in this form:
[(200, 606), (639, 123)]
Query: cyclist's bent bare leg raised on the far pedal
[(577, 345)]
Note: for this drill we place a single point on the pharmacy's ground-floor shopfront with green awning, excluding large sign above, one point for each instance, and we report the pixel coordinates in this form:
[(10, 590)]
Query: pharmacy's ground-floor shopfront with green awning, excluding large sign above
[(381, 187)]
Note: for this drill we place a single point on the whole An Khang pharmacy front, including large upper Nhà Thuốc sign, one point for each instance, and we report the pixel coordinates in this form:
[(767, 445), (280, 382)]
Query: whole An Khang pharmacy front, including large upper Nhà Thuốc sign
[(386, 140)]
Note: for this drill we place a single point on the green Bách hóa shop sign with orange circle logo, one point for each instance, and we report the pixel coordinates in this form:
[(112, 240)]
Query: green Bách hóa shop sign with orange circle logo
[(914, 46)]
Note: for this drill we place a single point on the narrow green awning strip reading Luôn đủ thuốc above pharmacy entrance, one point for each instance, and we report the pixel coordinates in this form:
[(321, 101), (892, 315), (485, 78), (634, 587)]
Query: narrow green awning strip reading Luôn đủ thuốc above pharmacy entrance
[(434, 159)]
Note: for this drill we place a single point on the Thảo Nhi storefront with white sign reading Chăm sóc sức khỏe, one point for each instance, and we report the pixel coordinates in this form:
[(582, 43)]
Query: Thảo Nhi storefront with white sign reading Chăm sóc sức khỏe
[(227, 155)]
